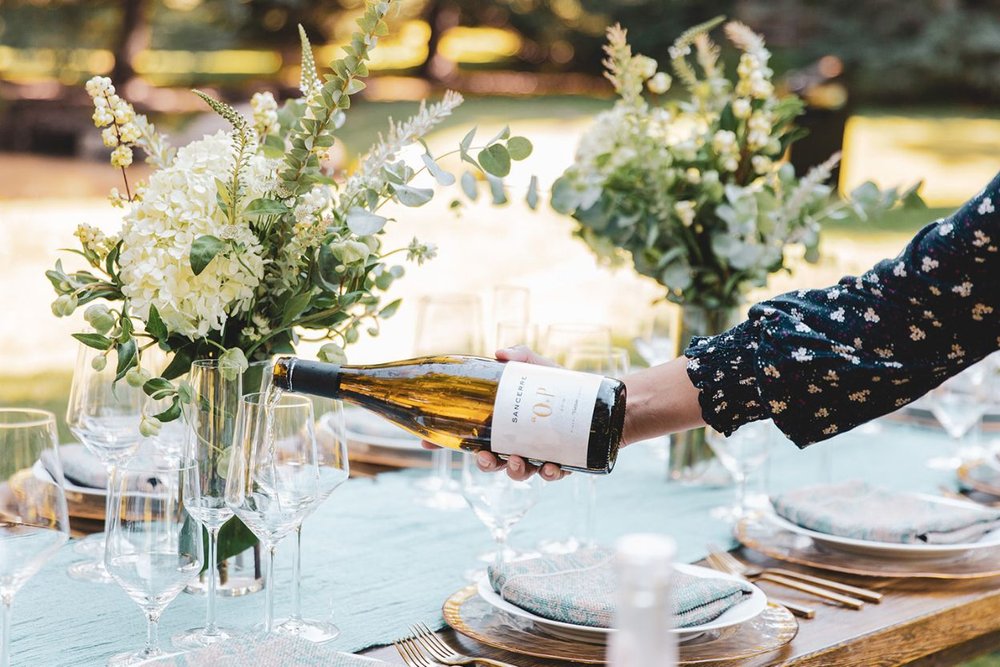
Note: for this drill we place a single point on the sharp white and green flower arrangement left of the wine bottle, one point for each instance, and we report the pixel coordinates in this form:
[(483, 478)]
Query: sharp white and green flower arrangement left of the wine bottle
[(243, 239)]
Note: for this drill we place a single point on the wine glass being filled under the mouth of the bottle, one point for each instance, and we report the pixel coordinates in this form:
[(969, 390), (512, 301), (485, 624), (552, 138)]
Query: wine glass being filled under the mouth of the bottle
[(274, 479)]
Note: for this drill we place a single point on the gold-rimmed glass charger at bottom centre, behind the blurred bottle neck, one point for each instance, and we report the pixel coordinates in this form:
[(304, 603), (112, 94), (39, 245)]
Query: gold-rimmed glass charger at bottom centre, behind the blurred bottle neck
[(473, 617)]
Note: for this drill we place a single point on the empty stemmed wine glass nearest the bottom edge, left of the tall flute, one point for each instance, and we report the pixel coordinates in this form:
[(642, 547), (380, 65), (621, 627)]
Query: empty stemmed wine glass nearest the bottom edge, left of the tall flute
[(154, 549)]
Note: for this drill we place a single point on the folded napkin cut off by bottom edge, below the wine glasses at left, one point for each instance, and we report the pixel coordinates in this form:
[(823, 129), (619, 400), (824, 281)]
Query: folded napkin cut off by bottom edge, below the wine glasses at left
[(264, 652)]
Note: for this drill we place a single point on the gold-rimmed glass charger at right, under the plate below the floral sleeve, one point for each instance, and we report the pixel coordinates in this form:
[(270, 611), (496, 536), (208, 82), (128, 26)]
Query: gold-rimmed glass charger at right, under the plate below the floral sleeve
[(771, 540)]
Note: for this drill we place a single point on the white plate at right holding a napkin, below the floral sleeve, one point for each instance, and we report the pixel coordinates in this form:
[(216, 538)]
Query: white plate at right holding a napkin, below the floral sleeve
[(990, 540)]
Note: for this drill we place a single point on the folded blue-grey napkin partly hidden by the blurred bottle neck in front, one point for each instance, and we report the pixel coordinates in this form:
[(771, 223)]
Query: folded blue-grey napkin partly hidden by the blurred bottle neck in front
[(579, 588)]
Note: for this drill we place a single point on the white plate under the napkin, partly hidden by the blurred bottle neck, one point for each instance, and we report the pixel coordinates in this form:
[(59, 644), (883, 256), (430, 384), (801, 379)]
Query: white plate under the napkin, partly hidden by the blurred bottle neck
[(740, 613)]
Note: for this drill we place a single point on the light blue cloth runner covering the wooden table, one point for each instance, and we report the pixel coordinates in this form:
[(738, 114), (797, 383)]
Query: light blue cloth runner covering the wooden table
[(379, 561)]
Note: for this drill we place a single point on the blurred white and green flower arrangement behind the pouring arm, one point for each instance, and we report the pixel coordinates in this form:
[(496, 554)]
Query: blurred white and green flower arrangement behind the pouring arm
[(694, 189)]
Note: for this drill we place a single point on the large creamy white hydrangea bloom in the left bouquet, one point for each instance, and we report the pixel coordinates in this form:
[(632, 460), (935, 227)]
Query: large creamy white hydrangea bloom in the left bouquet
[(179, 205)]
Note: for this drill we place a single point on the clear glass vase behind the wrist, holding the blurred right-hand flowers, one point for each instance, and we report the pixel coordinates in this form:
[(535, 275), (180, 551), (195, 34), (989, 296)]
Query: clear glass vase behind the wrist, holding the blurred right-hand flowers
[(691, 460)]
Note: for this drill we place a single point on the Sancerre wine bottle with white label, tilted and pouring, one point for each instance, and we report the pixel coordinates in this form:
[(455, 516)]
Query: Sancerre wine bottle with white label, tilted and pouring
[(471, 403)]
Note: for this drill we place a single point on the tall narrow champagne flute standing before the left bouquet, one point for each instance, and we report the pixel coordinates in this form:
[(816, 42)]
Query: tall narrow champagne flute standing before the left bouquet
[(216, 389)]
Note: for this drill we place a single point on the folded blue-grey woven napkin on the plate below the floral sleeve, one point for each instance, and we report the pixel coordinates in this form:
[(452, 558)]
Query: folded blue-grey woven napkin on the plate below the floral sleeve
[(858, 510)]
